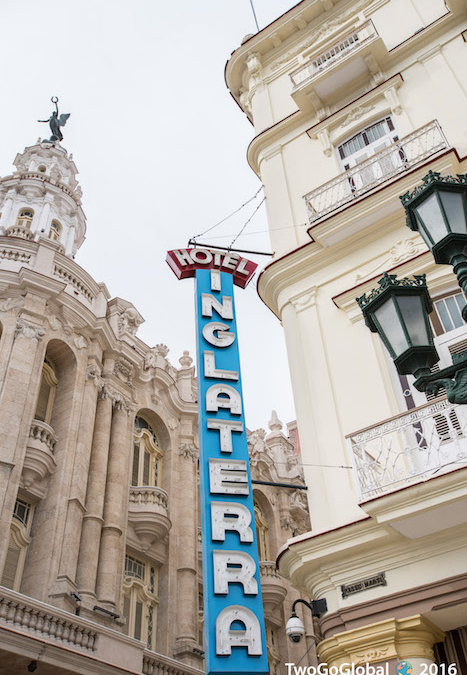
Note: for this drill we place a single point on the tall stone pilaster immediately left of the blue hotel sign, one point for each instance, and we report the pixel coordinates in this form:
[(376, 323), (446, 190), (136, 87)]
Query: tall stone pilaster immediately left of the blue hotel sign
[(187, 537)]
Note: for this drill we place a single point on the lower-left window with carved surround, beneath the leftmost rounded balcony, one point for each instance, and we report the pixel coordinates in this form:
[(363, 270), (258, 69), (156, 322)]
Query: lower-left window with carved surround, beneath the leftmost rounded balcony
[(17, 545)]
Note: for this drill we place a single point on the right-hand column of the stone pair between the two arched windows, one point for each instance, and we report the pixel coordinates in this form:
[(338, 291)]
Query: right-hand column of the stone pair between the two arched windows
[(115, 509)]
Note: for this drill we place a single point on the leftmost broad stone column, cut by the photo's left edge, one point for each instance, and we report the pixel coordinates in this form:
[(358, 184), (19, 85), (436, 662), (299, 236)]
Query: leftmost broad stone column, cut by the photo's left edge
[(18, 397)]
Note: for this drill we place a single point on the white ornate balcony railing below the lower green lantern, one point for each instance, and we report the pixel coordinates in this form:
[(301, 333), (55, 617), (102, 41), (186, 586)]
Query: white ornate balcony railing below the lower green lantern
[(409, 448)]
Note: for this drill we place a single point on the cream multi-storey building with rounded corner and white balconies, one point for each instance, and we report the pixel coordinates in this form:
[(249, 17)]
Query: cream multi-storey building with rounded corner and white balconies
[(352, 103)]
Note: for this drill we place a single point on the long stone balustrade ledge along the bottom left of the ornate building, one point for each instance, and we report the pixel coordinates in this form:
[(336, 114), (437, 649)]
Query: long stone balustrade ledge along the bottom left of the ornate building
[(66, 643)]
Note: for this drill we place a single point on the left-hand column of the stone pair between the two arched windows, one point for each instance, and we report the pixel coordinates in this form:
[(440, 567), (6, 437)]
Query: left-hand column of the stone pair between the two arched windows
[(88, 558)]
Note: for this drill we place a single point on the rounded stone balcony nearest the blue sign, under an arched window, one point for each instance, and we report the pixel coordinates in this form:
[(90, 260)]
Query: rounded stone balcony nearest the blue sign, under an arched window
[(148, 514)]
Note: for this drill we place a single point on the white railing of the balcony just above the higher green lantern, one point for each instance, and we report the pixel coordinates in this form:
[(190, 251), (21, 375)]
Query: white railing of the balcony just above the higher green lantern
[(382, 167)]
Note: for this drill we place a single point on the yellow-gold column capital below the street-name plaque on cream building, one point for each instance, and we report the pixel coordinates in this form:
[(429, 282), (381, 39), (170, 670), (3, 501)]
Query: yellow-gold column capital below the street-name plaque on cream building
[(411, 638)]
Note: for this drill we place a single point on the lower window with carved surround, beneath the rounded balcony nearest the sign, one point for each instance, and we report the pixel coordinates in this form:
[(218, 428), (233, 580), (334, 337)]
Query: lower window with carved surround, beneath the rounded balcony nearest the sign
[(140, 599)]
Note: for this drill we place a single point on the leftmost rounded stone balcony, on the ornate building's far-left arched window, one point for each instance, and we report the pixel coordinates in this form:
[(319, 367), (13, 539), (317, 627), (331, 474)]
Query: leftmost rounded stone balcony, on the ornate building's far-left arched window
[(39, 461)]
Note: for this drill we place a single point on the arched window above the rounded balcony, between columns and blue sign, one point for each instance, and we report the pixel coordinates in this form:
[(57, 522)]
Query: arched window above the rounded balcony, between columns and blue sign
[(147, 455)]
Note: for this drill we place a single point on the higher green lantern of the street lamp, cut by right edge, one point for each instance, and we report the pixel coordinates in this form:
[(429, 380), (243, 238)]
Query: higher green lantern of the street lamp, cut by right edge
[(437, 209)]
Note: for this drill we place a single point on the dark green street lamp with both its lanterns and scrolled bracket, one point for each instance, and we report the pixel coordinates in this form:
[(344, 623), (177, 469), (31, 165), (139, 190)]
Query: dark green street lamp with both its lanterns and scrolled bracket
[(398, 310)]
